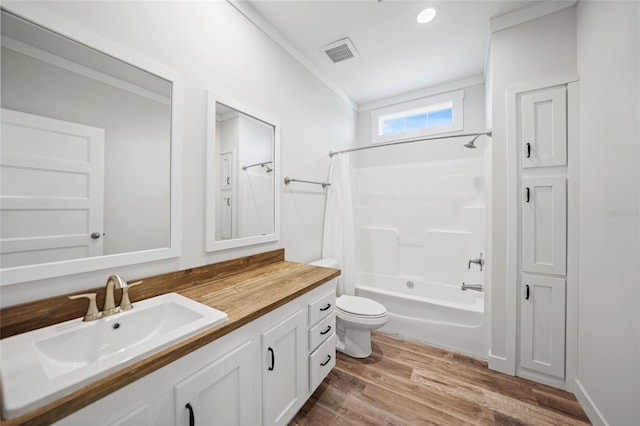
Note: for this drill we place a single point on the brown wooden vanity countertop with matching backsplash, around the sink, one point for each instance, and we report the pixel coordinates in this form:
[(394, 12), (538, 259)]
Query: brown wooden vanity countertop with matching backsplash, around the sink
[(259, 285)]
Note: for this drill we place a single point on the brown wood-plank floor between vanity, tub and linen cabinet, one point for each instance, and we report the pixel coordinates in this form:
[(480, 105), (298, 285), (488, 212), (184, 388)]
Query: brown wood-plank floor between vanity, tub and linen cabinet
[(407, 383)]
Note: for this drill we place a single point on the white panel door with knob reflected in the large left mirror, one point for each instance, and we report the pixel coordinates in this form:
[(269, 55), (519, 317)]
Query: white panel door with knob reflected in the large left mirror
[(51, 189)]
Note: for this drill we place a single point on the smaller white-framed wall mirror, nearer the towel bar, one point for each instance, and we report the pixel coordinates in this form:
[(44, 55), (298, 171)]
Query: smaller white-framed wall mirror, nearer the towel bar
[(242, 171)]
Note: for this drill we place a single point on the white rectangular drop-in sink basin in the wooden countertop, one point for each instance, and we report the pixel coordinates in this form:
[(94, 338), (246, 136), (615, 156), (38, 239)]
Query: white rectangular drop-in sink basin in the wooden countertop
[(45, 364)]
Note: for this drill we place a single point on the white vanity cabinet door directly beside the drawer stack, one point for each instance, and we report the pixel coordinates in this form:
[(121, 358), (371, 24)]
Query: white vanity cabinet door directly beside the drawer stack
[(284, 369)]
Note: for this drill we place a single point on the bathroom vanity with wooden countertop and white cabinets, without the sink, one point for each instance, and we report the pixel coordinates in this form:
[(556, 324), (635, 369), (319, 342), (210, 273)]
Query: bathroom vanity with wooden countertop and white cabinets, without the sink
[(259, 367)]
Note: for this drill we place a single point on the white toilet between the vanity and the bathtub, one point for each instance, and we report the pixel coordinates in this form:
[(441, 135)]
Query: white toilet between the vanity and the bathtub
[(357, 317)]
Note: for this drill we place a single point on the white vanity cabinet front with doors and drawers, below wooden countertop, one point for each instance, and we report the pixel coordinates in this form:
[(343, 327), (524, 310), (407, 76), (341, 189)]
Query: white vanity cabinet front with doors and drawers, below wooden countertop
[(229, 381)]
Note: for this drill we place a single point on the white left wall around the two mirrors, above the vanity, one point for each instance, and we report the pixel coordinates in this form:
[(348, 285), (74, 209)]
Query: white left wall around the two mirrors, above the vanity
[(214, 47)]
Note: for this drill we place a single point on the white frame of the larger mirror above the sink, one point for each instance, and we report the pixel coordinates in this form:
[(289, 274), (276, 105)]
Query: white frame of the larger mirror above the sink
[(20, 274)]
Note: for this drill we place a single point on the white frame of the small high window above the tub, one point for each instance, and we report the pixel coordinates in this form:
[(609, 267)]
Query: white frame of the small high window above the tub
[(427, 104)]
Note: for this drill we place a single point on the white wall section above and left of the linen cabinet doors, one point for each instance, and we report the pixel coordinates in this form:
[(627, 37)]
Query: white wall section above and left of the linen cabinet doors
[(541, 49)]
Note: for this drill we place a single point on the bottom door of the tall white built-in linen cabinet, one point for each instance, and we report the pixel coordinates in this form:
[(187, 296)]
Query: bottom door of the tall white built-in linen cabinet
[(543, 324)]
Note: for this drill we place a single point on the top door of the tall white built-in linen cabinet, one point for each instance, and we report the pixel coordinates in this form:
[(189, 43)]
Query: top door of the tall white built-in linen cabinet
[(544, 127)]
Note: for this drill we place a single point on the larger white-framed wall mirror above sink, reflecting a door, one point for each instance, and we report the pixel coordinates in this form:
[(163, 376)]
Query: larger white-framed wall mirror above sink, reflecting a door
[(88, 164)]
